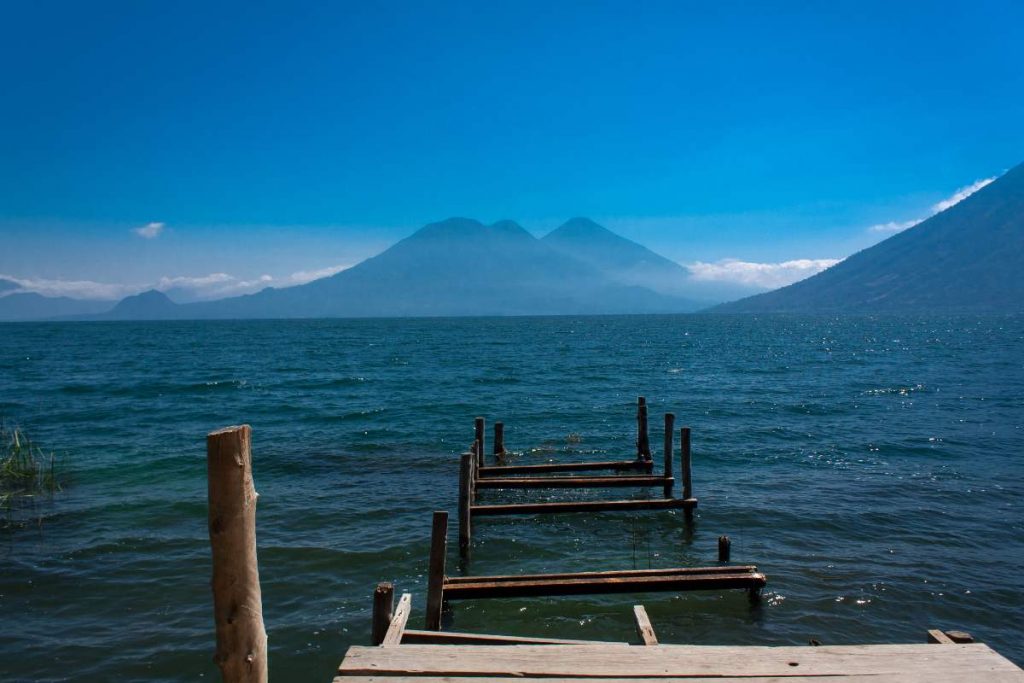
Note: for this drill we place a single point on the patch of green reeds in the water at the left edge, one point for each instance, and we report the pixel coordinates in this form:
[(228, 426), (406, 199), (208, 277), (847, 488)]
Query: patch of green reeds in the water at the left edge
[(27, 473)]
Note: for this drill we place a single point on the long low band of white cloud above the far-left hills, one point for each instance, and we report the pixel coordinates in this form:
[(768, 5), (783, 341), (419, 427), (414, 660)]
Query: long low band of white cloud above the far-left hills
[(214, 286)]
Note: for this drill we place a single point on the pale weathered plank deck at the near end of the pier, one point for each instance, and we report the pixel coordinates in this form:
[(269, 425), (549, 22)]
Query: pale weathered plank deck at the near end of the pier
[(463, 664)]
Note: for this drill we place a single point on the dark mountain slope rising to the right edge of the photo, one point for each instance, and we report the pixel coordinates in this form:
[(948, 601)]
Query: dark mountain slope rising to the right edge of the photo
[(967, 259)]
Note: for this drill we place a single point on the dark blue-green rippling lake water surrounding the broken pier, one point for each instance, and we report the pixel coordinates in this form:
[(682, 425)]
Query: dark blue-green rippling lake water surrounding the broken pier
[(872, 467)]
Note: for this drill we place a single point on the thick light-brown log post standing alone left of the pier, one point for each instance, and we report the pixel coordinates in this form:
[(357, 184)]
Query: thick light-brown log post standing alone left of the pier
[(238, 605)]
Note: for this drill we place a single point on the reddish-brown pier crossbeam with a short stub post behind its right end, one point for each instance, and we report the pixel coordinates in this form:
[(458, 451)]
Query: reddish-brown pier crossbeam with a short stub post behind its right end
[(599, 586)]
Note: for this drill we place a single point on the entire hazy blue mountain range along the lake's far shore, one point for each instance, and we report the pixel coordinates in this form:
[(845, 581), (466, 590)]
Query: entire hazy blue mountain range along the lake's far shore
[(967, 259)]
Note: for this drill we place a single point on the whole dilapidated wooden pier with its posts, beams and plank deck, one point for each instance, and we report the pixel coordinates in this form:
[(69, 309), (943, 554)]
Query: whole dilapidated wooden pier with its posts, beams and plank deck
[(433, 656)]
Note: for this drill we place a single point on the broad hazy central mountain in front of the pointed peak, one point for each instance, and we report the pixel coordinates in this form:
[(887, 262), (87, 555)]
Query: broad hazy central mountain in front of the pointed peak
[(454, 268)]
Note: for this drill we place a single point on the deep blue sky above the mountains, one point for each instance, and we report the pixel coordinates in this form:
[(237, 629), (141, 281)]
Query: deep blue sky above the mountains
[(275, 142)]
